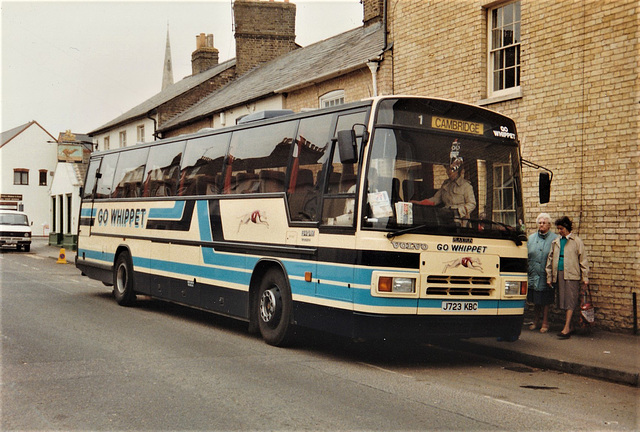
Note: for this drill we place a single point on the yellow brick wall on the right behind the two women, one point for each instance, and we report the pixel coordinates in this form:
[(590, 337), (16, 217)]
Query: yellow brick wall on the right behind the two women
[(577, 114)]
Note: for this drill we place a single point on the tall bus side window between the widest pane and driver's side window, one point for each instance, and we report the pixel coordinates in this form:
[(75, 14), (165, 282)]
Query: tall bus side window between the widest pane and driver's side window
[(309, 154)]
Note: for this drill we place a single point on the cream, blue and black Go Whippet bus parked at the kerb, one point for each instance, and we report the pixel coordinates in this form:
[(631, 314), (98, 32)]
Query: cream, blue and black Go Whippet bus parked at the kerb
[(394, 217)]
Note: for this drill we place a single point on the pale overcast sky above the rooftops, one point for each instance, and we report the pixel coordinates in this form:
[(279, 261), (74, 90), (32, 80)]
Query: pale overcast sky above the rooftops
[(76, 65)]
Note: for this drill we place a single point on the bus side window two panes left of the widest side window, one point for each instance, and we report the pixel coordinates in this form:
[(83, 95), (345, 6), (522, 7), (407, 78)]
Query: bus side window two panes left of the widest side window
[(163, 170)]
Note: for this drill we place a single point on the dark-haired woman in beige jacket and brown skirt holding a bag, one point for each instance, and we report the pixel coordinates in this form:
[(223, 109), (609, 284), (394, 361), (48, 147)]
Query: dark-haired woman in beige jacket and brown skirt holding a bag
[(568, 267)]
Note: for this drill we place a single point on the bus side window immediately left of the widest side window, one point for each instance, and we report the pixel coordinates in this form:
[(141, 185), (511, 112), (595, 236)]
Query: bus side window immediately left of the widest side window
[(202, 165)]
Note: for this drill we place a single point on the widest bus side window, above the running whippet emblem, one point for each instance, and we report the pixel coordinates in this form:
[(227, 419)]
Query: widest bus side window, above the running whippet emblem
[(258, 158)]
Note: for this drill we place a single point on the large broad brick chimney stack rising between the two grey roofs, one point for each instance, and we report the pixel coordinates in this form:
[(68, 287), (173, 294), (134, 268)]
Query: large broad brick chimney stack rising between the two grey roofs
[(264, 30)]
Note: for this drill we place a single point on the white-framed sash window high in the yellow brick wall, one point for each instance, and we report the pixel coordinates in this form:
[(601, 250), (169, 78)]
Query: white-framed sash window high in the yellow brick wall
[(504, 49)]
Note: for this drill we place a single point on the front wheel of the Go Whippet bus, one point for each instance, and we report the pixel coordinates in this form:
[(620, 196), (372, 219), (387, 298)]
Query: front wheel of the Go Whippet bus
[(275, 309)]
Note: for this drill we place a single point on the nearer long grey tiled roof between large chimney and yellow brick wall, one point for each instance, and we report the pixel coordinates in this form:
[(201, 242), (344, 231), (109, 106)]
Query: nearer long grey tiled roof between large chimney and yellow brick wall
[(316, 63)]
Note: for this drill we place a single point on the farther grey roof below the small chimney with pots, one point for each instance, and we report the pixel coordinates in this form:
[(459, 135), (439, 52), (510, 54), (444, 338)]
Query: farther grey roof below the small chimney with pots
[(166, 95)]
